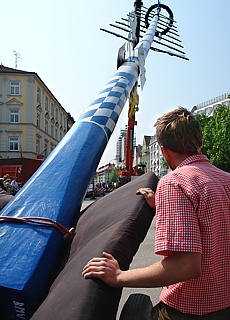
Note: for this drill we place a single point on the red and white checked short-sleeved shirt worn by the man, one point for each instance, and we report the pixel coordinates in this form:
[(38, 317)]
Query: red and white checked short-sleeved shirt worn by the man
[(193, 215)]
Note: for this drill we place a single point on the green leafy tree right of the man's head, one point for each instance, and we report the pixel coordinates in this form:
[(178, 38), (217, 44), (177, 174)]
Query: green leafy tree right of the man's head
[(216, 134)]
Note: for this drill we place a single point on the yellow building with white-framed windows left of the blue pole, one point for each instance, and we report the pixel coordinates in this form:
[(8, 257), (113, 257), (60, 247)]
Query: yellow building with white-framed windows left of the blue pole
[(32, 121)]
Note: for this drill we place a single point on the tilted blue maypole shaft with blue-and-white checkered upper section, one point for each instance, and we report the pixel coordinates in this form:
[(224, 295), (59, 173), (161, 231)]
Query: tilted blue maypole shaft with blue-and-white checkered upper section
[(56, 191)]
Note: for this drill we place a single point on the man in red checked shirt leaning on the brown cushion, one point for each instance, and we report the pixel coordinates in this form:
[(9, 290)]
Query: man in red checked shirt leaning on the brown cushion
[(192, 230)]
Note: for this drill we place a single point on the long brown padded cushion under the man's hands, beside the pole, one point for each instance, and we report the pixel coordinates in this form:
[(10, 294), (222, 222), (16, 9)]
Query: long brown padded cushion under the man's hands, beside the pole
[(117, 224)]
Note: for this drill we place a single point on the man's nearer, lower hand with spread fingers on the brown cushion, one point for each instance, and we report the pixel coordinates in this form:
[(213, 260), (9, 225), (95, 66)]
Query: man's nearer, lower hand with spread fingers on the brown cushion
[(107, 269)]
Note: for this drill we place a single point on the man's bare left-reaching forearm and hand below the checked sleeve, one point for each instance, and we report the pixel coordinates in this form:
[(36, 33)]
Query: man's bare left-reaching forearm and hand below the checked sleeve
[(178, 267)]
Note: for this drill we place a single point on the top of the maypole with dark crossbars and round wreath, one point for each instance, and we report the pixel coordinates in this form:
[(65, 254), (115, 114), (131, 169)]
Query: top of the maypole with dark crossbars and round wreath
[(140, 30)]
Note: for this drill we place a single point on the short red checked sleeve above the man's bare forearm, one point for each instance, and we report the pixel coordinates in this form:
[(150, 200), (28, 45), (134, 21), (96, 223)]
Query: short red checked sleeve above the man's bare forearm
[(177, 224)]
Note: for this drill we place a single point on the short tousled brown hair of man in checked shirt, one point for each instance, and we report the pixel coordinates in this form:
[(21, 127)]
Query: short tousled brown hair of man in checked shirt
[(179, 131)]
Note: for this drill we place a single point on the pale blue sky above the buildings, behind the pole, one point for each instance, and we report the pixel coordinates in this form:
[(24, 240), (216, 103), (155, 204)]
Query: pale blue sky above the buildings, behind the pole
[(61, 41)]
